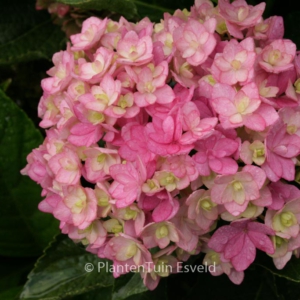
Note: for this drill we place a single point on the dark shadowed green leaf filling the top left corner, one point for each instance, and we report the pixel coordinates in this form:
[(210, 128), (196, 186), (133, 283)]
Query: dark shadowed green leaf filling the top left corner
[(27, 34)]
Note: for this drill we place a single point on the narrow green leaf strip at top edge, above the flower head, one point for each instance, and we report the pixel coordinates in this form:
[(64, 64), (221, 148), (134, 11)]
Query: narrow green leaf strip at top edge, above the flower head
[(124, 7)]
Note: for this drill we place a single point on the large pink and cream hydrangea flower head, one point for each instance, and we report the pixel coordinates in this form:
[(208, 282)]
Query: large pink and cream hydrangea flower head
[(166, 140)]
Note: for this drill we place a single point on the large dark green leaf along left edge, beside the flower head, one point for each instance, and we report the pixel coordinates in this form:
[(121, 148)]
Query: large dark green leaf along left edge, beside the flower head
[(24, 231)]
